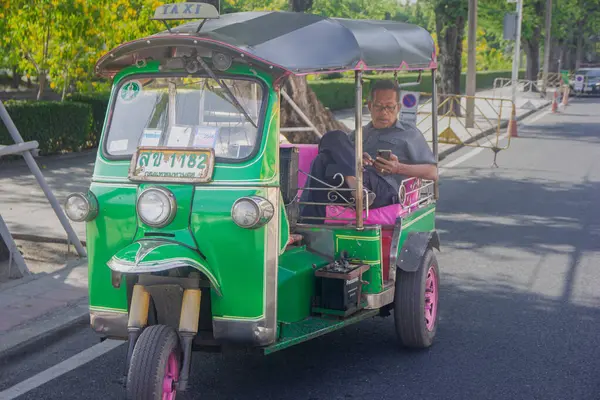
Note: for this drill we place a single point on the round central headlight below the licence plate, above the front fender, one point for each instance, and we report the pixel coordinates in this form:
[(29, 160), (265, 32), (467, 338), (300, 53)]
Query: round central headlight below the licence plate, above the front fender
[(156, 207)]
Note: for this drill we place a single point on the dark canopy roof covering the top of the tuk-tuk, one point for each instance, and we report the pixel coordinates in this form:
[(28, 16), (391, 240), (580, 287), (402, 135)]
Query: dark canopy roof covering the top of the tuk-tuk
[(288, 42)]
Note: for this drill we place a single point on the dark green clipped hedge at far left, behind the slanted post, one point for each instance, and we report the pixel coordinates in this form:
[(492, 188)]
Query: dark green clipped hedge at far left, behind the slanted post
[(57, 127)]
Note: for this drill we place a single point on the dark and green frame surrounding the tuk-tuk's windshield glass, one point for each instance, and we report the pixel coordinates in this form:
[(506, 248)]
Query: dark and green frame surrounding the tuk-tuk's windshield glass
[(129, 77)]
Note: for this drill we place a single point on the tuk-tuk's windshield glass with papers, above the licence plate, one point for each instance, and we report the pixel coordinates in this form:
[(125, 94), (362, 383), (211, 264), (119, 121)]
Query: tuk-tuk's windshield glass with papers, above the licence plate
[(196, 112)]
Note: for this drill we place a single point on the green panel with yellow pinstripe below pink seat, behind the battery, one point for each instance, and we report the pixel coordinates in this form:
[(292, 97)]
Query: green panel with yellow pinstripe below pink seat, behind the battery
[(365, 245)]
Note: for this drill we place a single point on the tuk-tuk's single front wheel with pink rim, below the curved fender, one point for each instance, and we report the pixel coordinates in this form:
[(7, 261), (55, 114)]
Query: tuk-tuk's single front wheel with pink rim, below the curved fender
[(155, 365)]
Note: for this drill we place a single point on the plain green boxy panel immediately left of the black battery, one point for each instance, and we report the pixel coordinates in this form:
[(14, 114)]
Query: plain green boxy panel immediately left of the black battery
[(296, 284)]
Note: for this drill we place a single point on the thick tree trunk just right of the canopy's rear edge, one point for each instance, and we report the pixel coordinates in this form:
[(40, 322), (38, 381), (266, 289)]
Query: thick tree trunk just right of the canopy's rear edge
[(450, 35)]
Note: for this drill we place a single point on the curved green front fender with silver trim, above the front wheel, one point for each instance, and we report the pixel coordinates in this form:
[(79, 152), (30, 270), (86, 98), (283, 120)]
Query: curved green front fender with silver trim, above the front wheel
[(147, 256)]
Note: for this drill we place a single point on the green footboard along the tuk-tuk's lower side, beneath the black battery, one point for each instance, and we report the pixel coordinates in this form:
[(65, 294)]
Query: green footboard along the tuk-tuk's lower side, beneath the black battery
[(313, 327)]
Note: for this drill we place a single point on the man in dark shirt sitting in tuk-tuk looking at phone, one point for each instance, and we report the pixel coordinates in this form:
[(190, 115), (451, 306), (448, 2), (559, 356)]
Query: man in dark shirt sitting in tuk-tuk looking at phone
[(410, 155)]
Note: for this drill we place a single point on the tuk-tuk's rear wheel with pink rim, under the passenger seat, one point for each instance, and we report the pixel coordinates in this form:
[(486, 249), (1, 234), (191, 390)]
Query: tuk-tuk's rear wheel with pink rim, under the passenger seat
[(416, 303)]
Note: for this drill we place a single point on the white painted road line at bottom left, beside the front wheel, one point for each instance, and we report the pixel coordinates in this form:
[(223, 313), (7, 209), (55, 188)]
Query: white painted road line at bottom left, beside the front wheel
[(60, 369)]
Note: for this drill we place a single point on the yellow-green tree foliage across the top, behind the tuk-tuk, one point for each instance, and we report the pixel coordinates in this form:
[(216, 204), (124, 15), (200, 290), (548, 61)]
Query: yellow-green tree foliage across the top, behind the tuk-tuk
[(62, 39)]
